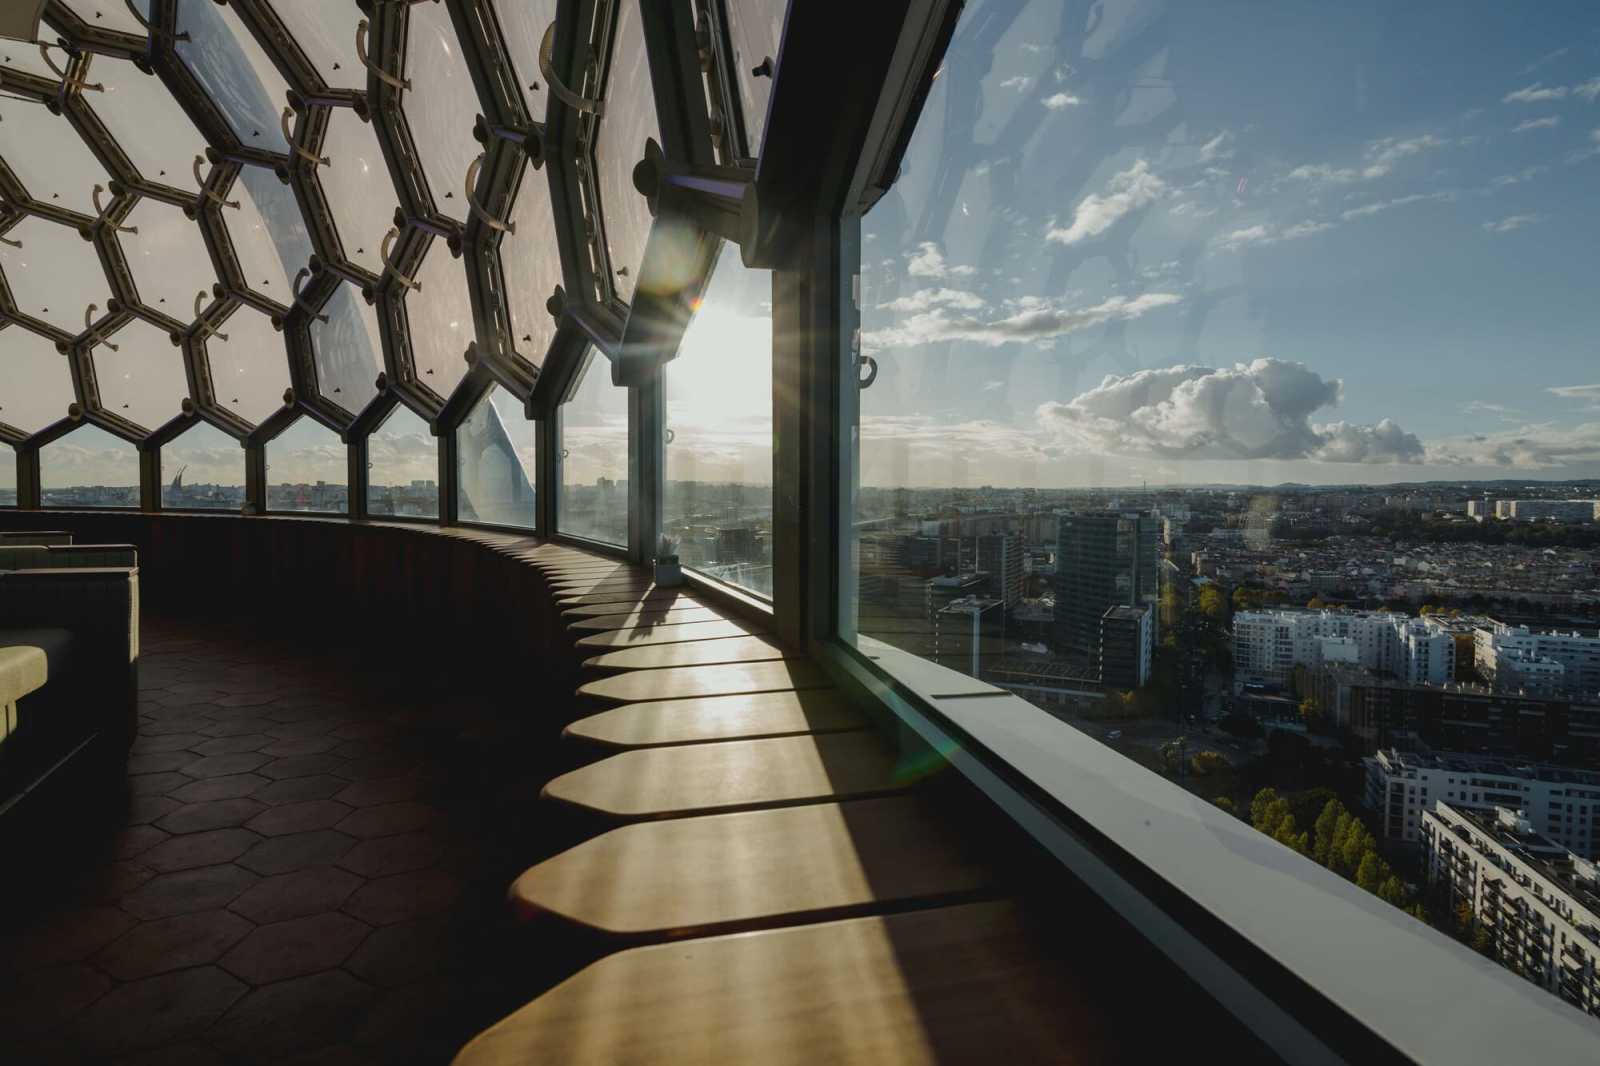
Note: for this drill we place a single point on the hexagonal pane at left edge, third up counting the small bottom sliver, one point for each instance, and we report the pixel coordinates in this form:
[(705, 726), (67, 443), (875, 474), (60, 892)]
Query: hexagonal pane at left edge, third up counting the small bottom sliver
[(55, 275)]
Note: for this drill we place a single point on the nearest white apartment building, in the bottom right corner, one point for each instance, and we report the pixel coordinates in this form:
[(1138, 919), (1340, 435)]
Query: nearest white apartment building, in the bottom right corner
[(1538, 902)]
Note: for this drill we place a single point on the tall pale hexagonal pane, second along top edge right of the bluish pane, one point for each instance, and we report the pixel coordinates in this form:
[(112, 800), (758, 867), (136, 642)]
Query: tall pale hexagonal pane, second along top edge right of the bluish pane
[(441, 106)]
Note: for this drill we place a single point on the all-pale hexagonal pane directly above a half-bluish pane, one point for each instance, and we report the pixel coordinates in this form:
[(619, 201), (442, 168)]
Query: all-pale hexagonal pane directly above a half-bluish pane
[(358, 188)]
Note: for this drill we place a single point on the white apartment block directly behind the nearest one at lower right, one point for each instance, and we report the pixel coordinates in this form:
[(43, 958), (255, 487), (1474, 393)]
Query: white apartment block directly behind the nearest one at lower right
[(1564, 804)]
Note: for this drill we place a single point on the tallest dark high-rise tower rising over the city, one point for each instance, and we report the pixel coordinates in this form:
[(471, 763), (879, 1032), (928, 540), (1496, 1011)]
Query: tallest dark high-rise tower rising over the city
[(1103, 561)]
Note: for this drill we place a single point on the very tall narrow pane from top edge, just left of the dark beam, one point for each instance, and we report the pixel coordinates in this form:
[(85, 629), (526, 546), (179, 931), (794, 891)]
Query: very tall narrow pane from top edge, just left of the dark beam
[(630, 122)]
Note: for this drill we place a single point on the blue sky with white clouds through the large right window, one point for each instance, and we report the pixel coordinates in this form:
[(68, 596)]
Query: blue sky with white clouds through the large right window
[(1242, 242)]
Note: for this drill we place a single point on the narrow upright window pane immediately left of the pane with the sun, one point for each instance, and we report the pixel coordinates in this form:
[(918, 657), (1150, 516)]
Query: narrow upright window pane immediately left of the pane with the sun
[(594, 459)]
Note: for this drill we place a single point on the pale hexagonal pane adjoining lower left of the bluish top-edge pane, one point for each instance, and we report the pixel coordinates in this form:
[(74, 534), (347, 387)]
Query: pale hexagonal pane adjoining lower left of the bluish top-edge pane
[(146, 121)]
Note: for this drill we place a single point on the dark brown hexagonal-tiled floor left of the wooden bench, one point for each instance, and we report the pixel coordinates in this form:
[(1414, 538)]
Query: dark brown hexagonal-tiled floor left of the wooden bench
[(311, 868)]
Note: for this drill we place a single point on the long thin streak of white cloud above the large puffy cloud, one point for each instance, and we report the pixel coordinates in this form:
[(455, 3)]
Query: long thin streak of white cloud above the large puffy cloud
[(1031, 321)]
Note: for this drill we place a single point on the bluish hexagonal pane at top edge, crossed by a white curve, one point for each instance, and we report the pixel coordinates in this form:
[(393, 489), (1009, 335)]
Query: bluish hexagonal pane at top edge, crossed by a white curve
[(236, 73)]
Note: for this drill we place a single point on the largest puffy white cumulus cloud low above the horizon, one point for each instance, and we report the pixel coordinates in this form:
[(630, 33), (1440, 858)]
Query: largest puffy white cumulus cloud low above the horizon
[(1258, 411)]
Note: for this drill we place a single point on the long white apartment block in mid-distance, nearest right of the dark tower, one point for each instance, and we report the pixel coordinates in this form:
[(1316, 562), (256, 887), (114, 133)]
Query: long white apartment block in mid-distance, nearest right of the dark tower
[(1268, 646)]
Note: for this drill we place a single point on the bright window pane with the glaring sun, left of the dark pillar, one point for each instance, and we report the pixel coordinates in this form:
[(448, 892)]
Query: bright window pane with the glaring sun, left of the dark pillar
[(718, 503)]
